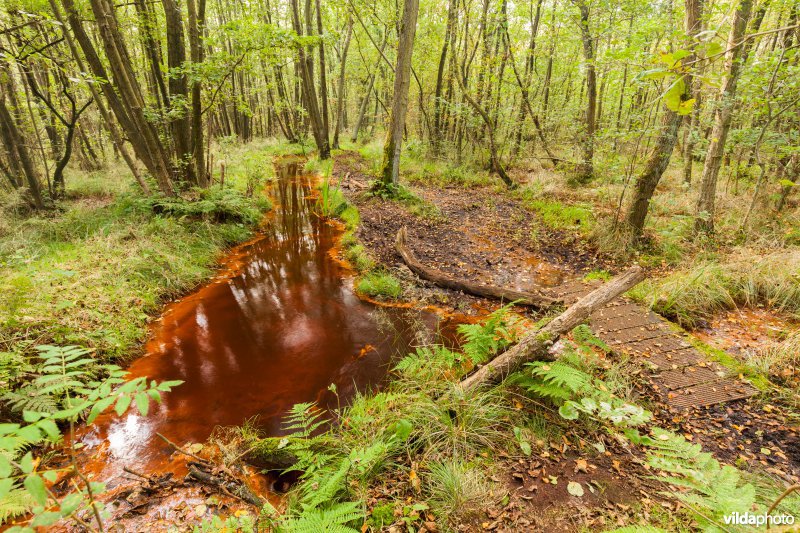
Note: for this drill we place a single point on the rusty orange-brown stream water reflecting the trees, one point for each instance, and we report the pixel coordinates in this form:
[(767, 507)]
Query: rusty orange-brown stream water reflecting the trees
[(276, 326)]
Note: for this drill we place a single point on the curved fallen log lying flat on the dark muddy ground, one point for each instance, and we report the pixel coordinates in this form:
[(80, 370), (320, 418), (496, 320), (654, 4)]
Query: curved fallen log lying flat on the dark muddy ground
[(444, 280)]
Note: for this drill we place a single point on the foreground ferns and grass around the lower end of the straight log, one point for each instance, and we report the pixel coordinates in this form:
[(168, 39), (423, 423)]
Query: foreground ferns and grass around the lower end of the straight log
[(433, 442)]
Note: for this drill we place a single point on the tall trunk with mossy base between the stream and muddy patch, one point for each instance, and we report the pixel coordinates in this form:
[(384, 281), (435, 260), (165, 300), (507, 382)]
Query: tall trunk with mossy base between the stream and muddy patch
[(390, 168)]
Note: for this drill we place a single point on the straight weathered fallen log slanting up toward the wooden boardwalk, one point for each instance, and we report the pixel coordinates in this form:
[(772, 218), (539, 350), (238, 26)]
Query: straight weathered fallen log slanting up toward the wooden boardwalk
[(534, 346)]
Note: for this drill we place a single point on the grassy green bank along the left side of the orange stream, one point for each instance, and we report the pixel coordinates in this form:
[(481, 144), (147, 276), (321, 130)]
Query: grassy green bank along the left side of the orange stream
[(93, 271)]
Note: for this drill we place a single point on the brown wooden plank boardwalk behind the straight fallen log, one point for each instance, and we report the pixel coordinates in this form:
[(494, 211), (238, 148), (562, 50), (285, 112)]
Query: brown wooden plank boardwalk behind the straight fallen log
[(683, 376)]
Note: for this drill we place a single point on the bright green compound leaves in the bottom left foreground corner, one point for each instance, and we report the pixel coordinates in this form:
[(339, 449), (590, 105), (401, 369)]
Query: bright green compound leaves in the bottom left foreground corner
[(77, 388)]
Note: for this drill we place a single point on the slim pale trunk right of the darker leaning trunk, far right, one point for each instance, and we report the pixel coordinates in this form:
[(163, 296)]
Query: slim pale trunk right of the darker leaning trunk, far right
[(722, 121)]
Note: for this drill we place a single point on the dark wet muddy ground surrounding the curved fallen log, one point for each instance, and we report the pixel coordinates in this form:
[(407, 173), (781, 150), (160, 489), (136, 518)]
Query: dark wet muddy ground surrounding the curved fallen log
[(475, 234)]
